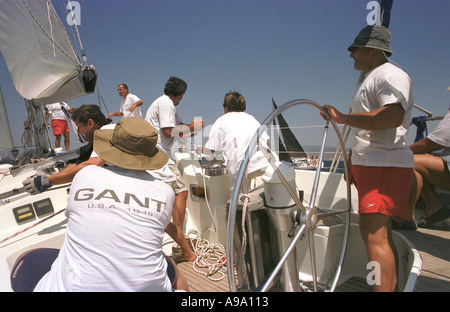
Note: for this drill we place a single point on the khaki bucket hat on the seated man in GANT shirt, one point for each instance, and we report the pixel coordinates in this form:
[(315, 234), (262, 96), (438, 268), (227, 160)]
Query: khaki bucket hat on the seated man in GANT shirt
[(130, 145)]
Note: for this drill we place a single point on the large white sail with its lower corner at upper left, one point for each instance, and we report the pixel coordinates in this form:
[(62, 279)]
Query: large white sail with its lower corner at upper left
[(40, 57)]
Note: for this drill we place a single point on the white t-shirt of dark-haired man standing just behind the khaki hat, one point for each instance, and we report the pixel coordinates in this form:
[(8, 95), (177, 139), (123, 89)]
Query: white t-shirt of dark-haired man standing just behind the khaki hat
[(162, 114)]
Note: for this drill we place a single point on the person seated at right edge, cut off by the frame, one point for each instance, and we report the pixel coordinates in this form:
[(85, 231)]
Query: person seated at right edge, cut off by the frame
[(430, 171)]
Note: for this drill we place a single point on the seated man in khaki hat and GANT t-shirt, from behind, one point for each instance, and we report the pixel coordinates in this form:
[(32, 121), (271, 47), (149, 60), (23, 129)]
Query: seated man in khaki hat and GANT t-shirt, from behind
[(116, 220)]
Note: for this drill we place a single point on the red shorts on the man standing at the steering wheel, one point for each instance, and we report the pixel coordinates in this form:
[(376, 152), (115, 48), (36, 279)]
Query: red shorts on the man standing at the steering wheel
[(383, 190)]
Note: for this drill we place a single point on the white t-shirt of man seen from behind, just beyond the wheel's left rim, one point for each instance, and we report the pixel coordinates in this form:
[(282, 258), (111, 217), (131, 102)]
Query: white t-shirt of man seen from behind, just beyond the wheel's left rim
[(231, 134)]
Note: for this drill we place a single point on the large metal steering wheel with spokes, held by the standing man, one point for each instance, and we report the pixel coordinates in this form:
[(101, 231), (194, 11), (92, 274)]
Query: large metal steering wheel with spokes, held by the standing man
[(305, 218)]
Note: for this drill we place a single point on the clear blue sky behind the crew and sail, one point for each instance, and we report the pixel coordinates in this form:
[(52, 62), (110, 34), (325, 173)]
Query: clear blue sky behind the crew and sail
[(282, 49)]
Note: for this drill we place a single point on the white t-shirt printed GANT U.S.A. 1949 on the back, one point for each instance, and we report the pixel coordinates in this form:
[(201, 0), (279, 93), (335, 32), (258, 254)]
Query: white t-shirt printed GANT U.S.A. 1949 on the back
[(114, 234)]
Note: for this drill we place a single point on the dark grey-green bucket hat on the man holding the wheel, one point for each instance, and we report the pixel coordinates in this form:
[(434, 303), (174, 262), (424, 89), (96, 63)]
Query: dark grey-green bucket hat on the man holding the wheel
[(376, 36)]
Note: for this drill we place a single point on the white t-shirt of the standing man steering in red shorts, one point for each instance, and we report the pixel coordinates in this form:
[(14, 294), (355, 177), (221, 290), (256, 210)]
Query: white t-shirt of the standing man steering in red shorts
[(386, 84)]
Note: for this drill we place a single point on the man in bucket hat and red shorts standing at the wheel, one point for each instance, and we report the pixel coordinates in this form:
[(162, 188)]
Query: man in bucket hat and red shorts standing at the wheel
[(381, 162)]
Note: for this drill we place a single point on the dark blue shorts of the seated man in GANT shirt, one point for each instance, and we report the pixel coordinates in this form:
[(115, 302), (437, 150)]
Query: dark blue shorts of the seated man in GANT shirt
[(29, 269)]
